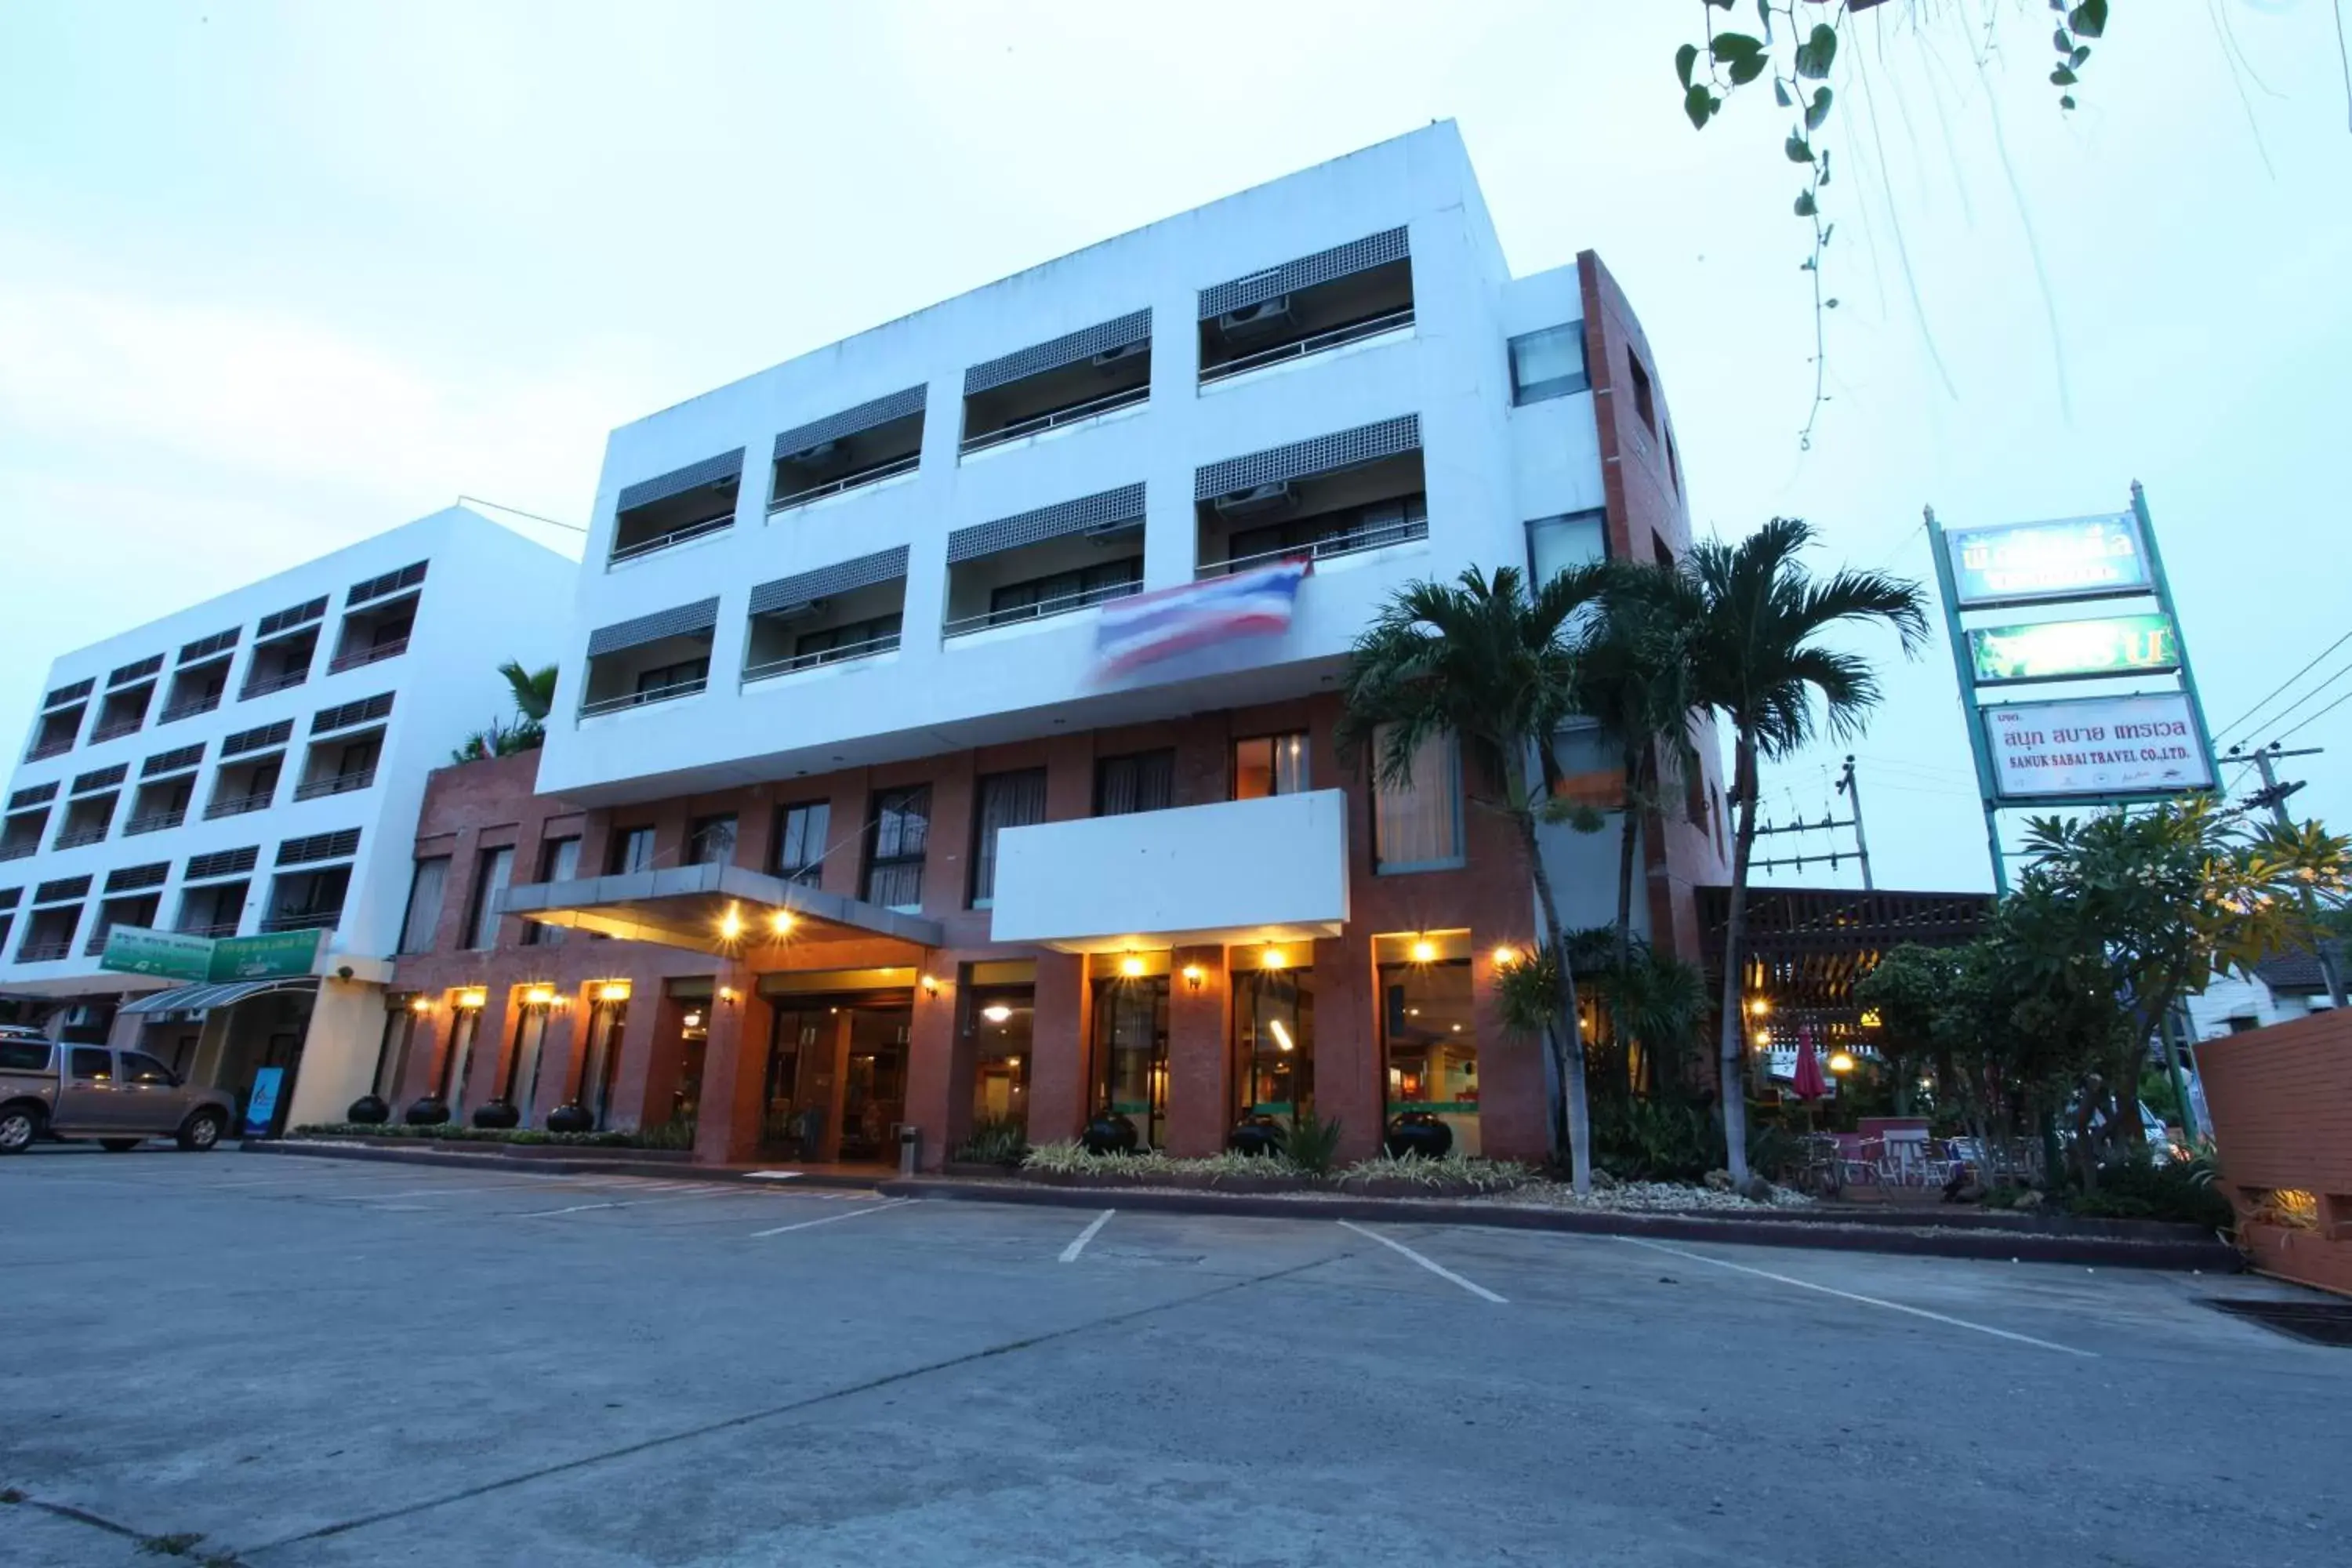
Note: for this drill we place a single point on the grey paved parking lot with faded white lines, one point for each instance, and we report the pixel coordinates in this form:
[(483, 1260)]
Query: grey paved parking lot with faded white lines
[(328, 1362)]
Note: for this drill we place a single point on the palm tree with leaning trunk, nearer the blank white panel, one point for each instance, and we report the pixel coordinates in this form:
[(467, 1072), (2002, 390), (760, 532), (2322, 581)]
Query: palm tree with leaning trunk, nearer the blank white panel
[(1490, 664)]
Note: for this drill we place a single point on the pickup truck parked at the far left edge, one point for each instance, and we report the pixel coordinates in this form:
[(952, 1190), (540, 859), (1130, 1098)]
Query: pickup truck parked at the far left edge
[(121, 1099)]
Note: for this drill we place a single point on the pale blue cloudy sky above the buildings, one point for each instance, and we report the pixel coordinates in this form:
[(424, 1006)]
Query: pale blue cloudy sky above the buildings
[(283, 276)]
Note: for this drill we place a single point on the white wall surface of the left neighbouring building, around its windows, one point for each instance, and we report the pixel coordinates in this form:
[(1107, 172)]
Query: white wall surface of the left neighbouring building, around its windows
[(483, 596)]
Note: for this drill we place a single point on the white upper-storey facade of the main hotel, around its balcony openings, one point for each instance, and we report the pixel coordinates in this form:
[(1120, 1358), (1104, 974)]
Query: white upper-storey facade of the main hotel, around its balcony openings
[(1488, 469)]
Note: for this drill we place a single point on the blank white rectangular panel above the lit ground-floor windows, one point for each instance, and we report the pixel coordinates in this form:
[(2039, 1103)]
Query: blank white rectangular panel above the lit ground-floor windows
[(1250, 871)]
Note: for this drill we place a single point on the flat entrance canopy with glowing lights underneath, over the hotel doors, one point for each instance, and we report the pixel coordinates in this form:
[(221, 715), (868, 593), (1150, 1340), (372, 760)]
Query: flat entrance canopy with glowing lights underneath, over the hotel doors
[(714, 909)]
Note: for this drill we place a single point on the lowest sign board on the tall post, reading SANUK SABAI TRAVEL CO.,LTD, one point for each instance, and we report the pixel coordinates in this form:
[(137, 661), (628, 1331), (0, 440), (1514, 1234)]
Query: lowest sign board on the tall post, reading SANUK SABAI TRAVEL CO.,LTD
[(2097, 746)]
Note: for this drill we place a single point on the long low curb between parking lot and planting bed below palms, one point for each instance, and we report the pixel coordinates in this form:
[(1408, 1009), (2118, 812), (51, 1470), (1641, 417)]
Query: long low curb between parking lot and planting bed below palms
[(2010, 1247)]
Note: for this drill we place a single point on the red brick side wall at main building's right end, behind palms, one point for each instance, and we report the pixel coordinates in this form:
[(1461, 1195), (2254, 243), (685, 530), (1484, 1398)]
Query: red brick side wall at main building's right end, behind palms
[(1648, 509)]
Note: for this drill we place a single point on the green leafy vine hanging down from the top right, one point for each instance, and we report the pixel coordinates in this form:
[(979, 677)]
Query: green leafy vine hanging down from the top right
[(1798, 51)]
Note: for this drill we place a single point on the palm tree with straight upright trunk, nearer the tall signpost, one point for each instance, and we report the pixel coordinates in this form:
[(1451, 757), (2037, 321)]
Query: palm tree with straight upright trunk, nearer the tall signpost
[(1758, 659)]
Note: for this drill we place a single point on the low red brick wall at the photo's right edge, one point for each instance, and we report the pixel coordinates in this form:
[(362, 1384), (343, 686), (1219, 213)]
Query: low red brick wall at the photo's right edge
[(2283, 1118)]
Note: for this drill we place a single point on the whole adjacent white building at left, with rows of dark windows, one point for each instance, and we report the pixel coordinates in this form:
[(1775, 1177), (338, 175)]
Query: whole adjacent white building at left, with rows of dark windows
[(253, 765)]
